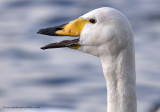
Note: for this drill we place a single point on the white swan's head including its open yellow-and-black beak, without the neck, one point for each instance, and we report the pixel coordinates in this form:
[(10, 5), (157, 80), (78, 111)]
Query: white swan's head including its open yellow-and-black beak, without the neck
[(103, 31)]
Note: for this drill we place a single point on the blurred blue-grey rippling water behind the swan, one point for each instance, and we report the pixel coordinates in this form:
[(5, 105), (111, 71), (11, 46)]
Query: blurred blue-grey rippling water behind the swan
[(64, 79)]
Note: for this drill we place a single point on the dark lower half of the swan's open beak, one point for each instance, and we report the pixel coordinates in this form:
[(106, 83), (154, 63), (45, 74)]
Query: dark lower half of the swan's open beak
[(64, 43)]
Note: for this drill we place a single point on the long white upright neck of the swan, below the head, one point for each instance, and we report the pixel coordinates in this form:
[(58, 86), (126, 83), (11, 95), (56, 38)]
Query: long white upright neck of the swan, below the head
[(119, 72)]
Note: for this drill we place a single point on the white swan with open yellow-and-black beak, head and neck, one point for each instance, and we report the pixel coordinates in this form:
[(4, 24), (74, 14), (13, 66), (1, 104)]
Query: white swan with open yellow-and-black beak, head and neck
[(106, 33)]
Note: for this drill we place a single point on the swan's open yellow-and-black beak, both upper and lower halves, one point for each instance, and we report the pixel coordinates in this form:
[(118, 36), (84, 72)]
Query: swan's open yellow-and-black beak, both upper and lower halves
[(73, 28)]
